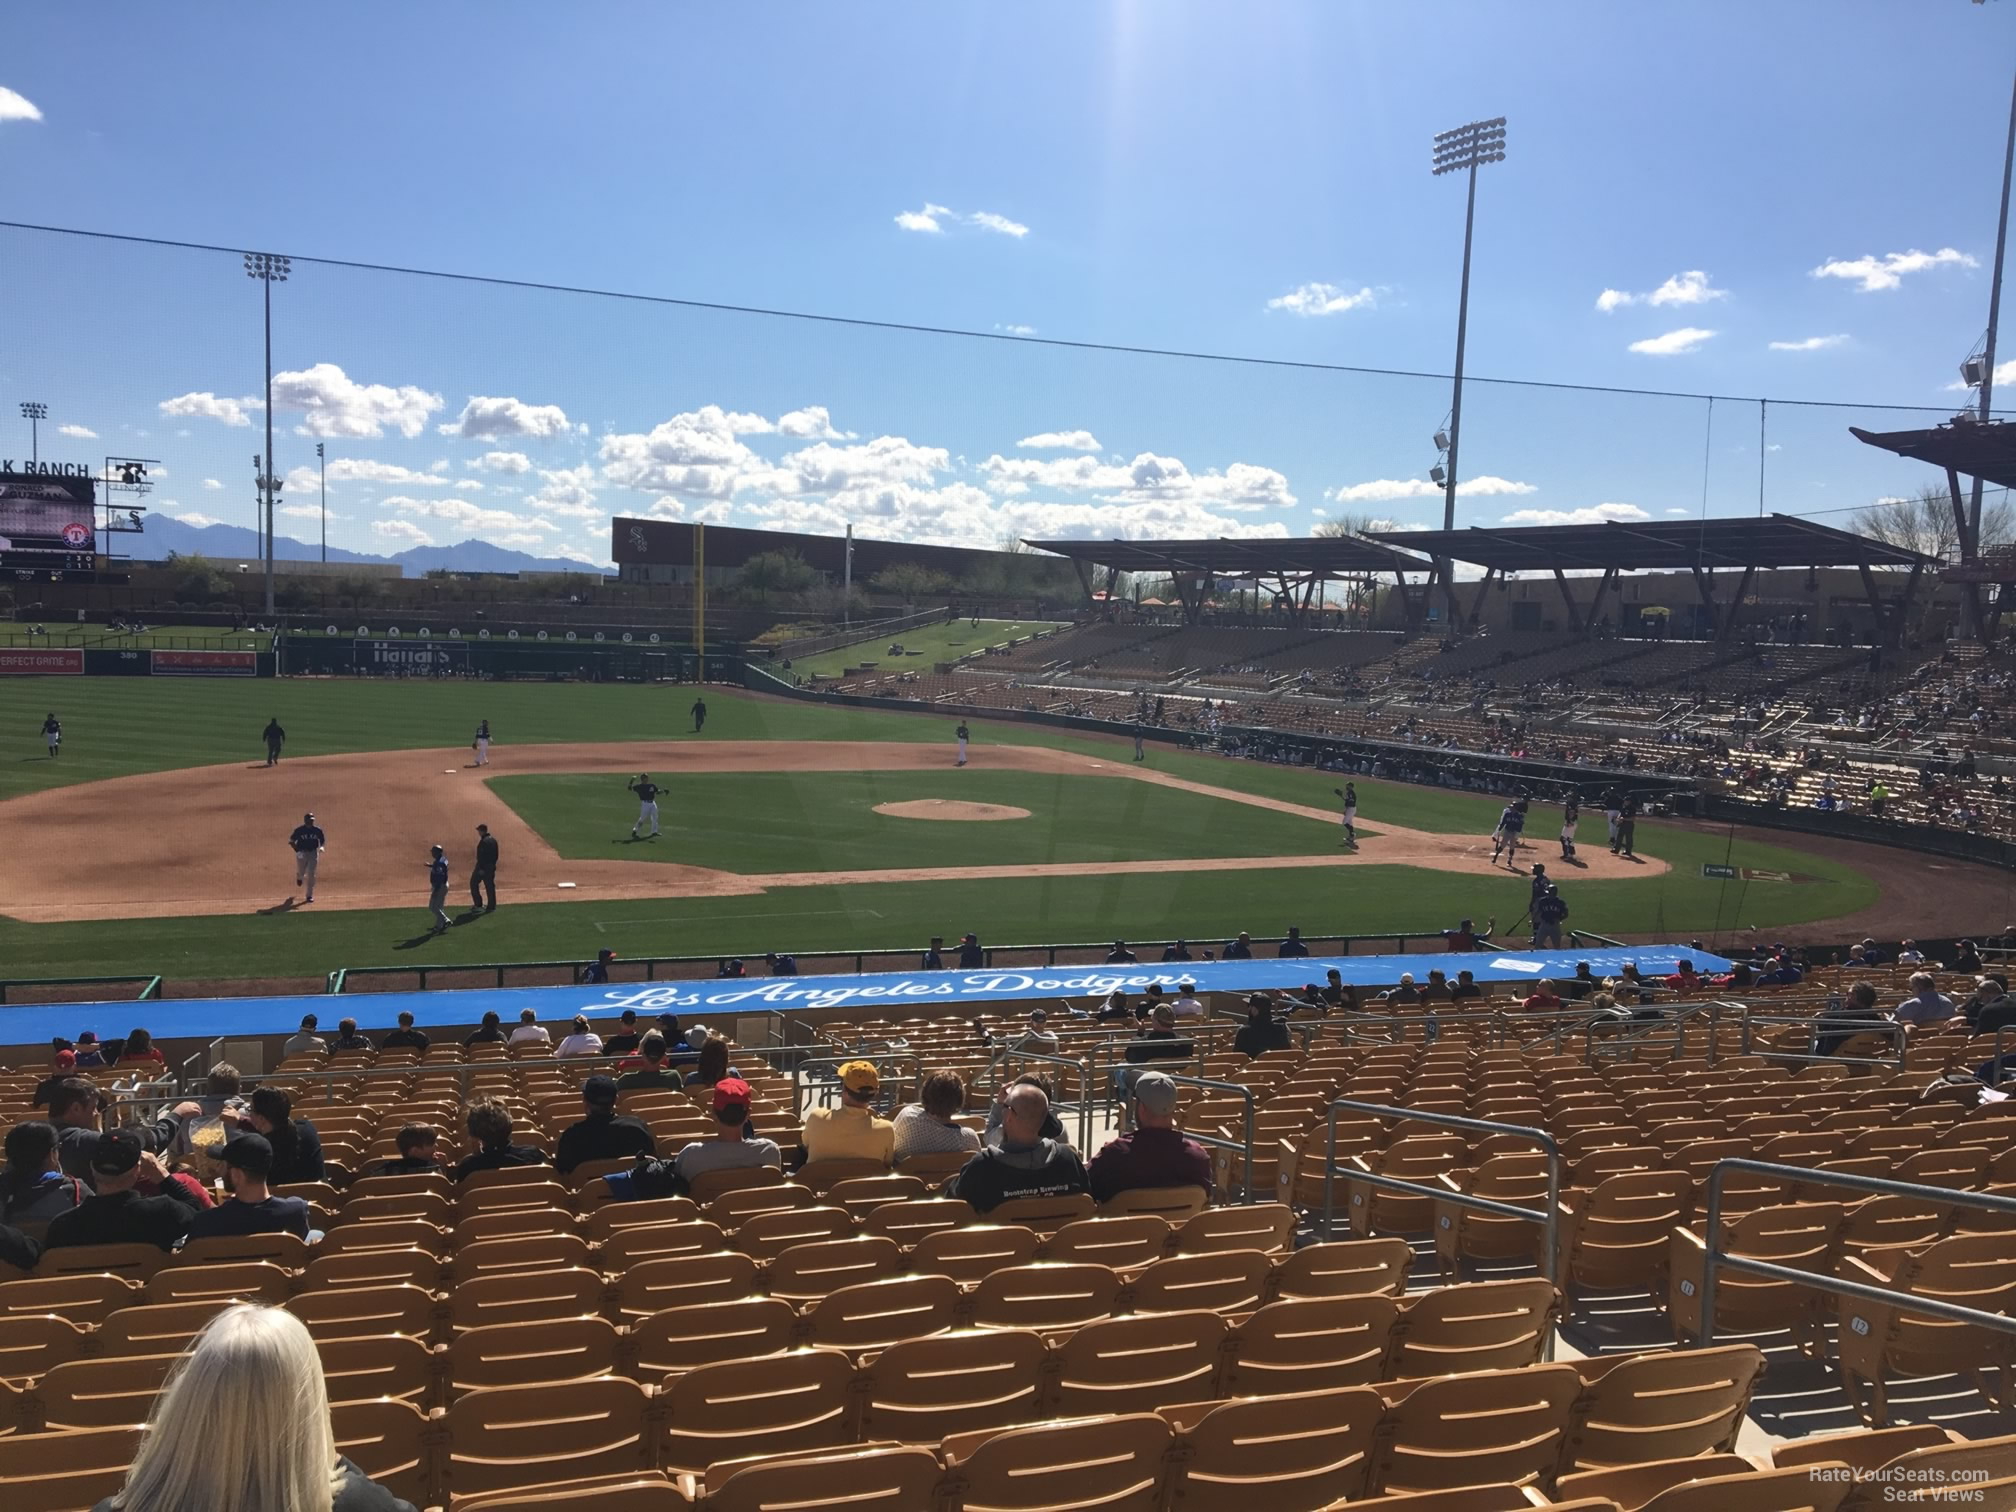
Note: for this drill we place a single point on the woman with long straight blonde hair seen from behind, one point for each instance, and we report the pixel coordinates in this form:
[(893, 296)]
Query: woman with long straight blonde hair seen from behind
[(243, 1426)]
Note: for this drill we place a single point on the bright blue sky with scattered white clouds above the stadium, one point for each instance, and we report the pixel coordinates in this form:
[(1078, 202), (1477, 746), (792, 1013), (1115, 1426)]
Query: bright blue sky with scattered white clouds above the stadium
[(1789, 201)]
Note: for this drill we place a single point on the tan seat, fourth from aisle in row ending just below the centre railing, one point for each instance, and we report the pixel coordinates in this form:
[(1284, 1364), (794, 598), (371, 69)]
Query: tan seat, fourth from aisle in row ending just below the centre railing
[(926, 1390)]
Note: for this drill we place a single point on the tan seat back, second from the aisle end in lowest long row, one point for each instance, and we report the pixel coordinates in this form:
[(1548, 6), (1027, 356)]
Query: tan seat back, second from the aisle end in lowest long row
[(1477, 1430)]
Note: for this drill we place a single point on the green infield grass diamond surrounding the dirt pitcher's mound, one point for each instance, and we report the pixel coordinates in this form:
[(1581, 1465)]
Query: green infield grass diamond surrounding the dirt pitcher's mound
[(828, 822)]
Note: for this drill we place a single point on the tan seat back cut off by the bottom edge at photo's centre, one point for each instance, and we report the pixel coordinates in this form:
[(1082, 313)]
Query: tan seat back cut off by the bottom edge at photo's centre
[(1092, 1465)]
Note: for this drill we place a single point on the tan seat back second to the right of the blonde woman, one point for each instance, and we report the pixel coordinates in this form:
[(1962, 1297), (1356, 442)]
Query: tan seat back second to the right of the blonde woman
[(505, 1438)]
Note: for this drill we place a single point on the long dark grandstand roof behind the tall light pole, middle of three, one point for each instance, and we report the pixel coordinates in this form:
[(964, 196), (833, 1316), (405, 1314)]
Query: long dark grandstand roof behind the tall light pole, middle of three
[(1648, 545)]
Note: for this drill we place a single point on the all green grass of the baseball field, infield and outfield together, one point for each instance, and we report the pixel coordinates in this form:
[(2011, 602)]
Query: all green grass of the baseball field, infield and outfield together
[(116, 727)]
